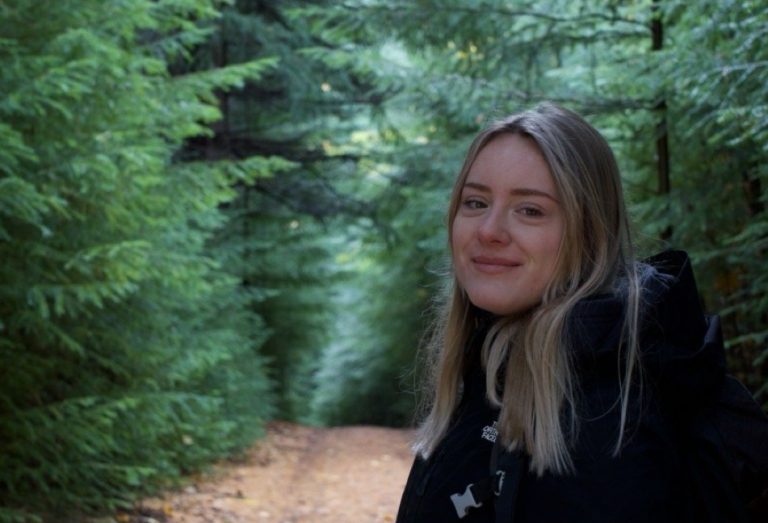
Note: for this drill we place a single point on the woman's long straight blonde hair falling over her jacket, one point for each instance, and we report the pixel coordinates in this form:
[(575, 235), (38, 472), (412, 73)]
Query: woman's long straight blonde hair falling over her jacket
[(531, 353)]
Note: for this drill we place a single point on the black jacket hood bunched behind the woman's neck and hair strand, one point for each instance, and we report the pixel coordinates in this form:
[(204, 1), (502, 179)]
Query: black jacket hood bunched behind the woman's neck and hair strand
[(681, 348)]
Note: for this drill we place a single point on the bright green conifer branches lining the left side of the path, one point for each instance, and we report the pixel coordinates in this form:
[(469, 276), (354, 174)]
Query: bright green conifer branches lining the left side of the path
[(128, 354)]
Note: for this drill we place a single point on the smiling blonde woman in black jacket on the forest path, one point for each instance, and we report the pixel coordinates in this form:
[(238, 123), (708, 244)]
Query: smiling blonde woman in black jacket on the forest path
[(563, 369)]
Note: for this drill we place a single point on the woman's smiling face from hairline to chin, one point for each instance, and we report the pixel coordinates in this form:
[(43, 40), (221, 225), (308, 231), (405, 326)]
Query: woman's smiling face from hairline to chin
[(507, 230)]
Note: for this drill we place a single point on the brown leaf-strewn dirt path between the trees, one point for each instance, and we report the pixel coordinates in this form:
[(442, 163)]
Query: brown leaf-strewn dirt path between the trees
[(296, 474)]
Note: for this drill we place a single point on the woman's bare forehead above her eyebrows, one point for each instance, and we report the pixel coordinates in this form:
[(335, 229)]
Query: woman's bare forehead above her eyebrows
[(511, 161)]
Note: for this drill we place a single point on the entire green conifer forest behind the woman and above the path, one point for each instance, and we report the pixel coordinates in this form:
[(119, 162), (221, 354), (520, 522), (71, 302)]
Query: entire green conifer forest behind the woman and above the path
[(216, 213)]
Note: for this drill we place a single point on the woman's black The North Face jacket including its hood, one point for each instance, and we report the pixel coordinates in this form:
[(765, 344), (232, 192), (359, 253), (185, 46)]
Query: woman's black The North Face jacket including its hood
[(649, 482)]
